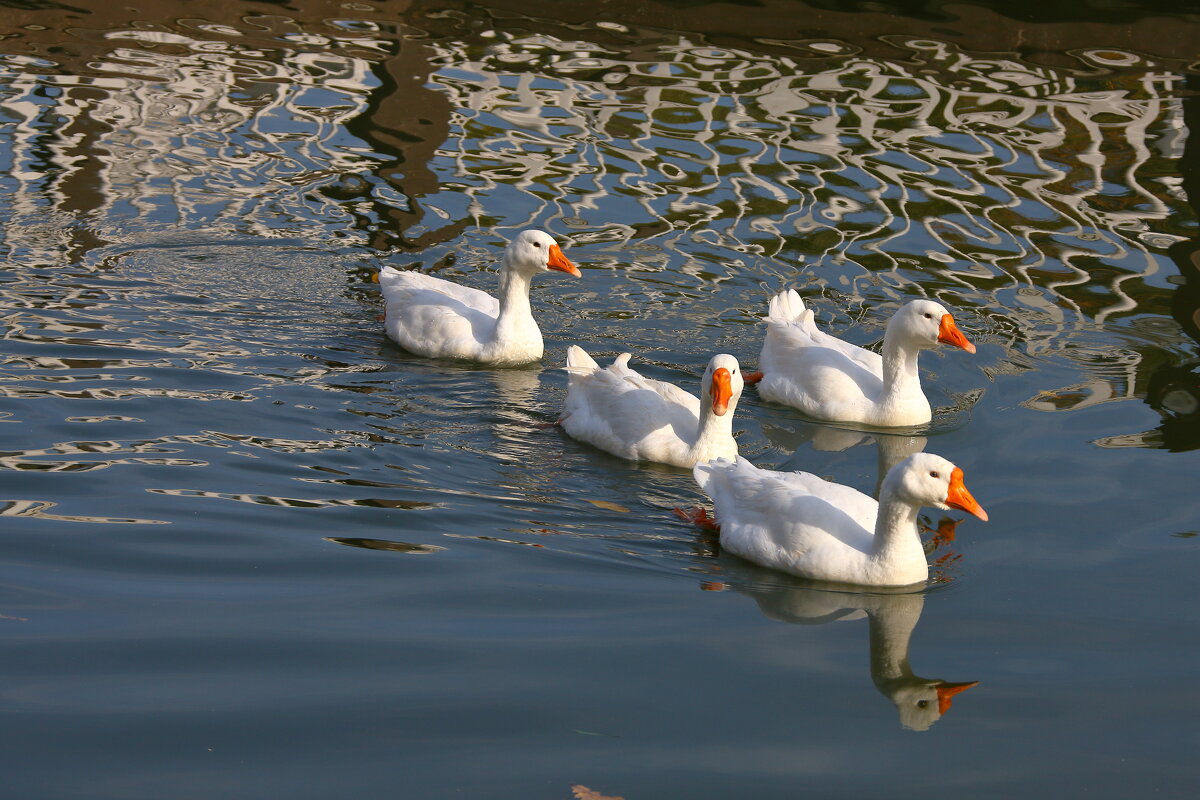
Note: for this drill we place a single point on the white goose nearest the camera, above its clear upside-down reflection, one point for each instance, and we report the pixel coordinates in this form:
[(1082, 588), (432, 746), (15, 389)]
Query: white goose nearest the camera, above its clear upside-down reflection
[(800, 524)]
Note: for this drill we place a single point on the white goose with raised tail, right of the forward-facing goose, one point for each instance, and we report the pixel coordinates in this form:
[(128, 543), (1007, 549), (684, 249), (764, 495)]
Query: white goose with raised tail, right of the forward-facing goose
[(831, 380)]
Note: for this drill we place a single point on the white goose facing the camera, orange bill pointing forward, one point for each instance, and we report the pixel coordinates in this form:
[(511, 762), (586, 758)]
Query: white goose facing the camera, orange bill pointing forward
[(637, 418)]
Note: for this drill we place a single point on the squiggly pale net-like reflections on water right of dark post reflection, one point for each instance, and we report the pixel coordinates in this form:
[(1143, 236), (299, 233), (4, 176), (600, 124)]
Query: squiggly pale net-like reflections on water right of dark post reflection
[(863, 177)]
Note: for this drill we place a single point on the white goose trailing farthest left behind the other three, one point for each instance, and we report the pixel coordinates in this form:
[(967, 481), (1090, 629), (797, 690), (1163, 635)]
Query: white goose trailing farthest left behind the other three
[(437, 318)]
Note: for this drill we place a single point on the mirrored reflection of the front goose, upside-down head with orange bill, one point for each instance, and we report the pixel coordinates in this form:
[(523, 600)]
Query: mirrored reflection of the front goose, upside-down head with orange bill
[(892, 618)]
